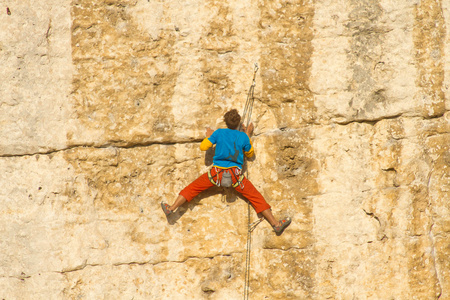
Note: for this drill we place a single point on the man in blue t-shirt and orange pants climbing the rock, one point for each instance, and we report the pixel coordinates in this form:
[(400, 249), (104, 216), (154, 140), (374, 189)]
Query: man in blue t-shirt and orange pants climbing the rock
[(231, 145)]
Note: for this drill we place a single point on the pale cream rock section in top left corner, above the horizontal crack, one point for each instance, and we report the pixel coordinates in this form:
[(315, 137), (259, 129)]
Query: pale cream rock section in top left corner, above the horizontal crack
[(35, 76)]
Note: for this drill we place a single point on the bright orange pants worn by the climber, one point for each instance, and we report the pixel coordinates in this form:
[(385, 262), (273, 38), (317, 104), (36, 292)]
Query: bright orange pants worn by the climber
[(248, 191)]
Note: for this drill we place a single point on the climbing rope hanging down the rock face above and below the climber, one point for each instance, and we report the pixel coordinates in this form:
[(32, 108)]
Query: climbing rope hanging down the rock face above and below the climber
[(246, 116)]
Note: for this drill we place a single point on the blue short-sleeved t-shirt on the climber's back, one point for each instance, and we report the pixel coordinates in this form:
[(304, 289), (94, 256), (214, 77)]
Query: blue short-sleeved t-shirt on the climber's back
[(230, 147)]
